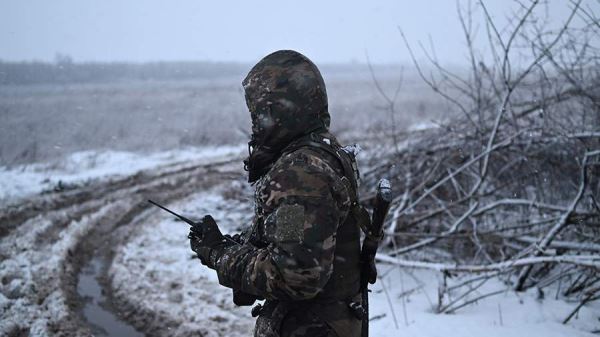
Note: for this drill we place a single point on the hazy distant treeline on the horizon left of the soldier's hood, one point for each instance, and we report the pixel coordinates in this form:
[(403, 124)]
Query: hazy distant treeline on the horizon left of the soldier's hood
[(66, 71)]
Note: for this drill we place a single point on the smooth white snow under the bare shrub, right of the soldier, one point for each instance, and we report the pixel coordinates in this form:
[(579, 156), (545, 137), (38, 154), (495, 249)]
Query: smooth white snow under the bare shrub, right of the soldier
[(507, 314)]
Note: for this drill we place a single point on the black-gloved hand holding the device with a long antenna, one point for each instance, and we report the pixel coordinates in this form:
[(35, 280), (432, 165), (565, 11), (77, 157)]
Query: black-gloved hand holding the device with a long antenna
[(207, 241)]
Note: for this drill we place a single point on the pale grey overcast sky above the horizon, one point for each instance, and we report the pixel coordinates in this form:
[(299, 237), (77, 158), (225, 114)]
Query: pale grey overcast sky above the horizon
[(150, 30)]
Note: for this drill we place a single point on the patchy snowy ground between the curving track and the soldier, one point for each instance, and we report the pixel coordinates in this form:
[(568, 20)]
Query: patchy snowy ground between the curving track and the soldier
[(170, 281)]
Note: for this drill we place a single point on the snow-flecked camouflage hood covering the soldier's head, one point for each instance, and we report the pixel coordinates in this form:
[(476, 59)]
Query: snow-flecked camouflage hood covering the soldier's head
[(286, 96)]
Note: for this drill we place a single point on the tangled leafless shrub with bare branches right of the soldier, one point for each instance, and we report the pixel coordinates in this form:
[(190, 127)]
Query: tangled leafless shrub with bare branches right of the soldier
[(509, 187)]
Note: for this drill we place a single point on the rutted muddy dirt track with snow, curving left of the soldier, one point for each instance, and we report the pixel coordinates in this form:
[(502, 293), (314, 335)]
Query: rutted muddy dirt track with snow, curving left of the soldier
[(45, 241)]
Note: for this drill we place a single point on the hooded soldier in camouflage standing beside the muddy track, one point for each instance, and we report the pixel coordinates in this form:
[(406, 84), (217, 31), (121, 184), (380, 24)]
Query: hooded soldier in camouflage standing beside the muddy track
[(302, 251)]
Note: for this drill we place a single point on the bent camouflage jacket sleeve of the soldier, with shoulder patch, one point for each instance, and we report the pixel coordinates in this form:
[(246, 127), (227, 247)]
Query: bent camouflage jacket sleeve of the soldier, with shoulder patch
[(304, 202)]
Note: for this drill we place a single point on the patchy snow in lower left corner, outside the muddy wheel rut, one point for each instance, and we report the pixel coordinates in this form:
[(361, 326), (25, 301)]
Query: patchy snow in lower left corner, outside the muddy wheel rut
[(31, 293)]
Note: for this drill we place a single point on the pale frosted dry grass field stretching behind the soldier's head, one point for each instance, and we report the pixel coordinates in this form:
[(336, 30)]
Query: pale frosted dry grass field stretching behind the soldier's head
[(46, 121)]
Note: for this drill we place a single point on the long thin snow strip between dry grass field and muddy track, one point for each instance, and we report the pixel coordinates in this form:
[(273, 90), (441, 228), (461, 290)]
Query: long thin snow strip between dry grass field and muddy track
[(78, 168)]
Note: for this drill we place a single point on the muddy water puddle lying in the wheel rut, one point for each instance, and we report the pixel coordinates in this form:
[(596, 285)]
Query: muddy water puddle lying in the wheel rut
[(101, 319)]
